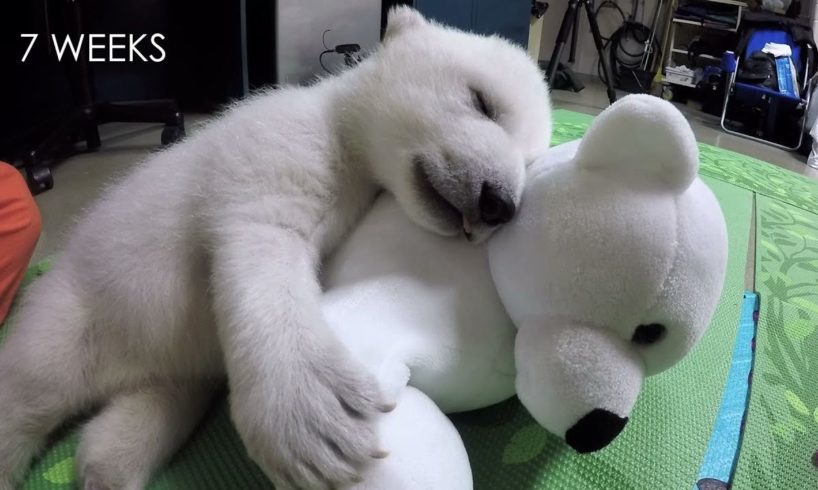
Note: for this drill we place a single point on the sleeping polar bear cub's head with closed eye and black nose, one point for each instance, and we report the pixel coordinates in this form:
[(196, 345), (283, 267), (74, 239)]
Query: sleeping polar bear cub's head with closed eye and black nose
[(450, 122)]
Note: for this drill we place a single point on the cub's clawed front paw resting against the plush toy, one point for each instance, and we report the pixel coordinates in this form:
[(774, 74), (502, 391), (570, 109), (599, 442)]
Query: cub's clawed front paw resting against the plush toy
[(315, 426)]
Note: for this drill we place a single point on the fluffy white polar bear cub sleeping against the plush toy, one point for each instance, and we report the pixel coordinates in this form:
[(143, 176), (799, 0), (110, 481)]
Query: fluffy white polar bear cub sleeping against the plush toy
[(202, 263)]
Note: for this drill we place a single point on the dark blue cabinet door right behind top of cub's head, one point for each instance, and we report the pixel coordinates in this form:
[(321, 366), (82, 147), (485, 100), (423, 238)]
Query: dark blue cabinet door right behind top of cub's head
[(508, 18)]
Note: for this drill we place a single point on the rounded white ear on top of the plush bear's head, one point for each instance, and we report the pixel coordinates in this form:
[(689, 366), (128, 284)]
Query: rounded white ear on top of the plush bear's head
[(642, 138)]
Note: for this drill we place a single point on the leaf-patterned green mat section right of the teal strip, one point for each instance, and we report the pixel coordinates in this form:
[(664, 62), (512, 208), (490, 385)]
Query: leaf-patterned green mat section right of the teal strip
[(780, 444)]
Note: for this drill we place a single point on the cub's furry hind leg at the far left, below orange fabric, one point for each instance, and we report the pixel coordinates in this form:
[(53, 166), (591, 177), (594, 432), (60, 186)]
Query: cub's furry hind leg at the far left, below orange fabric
[(47, 372)]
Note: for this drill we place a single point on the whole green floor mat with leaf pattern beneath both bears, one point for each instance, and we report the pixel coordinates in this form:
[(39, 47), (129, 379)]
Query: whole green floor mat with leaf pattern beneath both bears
[(668, 437)]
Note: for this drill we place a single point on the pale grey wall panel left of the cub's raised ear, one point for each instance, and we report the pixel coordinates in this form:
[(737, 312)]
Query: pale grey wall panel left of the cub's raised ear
[(300, 23)]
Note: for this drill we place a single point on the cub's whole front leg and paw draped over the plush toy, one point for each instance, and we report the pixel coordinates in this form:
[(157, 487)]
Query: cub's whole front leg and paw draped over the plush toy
[(303, 407)]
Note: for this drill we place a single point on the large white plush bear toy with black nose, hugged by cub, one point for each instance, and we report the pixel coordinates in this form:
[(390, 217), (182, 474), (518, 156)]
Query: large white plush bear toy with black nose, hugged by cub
[(610, 272)]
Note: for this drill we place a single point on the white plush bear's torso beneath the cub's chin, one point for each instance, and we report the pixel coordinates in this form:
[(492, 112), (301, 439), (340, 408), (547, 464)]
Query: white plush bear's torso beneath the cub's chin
[(410, 304)]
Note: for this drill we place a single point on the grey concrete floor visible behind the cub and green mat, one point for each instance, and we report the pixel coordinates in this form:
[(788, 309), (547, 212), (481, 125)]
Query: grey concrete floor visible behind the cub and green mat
[(81, 179)]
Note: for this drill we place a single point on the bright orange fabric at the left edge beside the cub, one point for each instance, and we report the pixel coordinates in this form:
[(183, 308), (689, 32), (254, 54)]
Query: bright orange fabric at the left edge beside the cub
[(20, 226)]
